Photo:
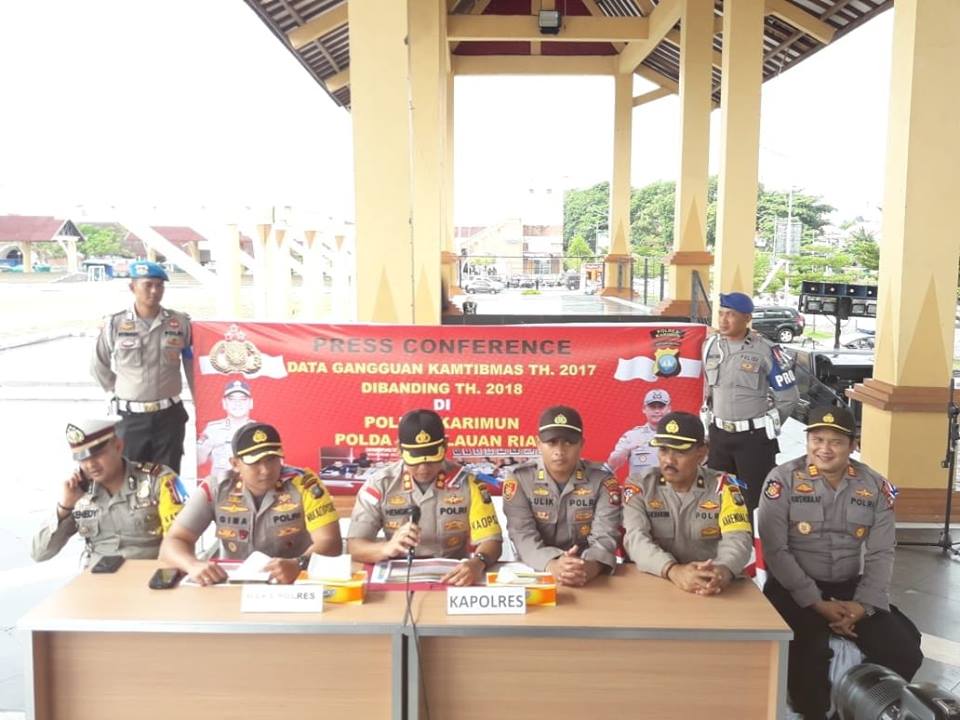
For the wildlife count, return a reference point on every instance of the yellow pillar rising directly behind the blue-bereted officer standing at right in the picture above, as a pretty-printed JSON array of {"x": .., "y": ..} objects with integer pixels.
[{"x": 739, "y": 148}]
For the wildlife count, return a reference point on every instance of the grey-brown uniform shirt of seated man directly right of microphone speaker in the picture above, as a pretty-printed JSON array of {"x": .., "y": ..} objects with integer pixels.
[{"x": 545, "y": 519}]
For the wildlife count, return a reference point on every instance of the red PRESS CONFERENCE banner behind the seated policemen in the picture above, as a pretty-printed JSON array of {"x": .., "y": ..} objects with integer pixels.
[{"x": 337, "y": 392}]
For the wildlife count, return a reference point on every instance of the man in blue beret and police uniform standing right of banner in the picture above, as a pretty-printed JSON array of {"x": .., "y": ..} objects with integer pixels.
[{"x": 749, "y": 391}]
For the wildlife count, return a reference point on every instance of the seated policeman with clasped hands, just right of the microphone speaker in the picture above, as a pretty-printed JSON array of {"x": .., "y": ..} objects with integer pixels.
[{"x": 563, "y": 513}]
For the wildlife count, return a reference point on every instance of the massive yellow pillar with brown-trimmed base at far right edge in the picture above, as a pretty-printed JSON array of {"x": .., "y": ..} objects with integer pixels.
[{"x": 904, "y": 419}]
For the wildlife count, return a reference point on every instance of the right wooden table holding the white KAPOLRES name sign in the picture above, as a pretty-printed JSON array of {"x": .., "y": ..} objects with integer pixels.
[{"x": 627, "y": 646}]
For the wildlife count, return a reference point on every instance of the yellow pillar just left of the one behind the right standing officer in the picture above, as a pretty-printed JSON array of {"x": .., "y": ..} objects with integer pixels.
[{"x": 690, "y": 221}]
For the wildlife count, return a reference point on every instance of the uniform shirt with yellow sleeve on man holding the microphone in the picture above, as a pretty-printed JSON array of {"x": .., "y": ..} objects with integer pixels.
[{"x": 455, "y": 510}]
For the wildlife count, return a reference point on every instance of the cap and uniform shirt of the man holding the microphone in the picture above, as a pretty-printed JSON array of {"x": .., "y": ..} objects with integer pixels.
[{"x": 456, "y": 511}]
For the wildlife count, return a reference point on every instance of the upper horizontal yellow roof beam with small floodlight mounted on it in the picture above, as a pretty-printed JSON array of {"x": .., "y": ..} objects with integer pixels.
[{"x": 504, "y": 28}]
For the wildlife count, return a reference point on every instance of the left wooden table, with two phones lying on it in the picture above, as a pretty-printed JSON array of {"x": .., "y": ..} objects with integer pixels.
[{"x": 106, "y": 646}]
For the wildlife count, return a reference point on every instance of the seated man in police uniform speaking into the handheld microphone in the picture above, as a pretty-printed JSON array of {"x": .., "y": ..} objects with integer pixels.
[{"x": 454, "y": 507}]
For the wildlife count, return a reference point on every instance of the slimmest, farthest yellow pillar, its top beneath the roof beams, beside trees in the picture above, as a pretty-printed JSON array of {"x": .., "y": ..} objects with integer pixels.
[{"x": 616, "y": 276}]
